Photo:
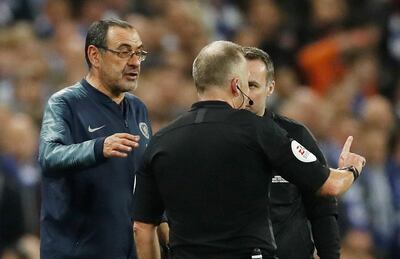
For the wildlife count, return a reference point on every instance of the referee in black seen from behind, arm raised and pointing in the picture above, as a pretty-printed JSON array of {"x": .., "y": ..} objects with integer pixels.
[{"x": 210, "y": 169}]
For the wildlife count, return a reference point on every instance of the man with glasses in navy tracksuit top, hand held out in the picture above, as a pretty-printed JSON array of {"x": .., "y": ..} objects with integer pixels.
[{"x": 92, "y": 138}]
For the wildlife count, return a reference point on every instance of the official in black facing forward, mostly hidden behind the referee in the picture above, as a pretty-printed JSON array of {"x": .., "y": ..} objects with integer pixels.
[{"x": 293, "y": 208}]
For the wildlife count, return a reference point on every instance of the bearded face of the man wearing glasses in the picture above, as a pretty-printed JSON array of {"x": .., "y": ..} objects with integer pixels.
[{"x": 117, "y": 73}]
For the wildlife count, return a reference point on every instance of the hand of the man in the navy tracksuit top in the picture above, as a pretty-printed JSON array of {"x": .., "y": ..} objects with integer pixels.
[{"x": 120, "y": 144}]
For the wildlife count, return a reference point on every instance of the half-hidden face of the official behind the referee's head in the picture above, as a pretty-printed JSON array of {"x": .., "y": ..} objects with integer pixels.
[{"x": 258, "y": 86}]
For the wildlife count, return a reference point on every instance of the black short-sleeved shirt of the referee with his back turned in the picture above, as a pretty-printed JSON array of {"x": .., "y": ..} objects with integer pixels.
[{"x": 210, "y": 171}]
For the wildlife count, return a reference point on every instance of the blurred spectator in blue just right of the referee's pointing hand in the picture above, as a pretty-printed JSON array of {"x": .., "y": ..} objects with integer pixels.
[{"x": 370, "y": 205}]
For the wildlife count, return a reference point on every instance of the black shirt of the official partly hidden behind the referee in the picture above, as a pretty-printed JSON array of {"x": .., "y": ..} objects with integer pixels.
[{"x": 292, "y": 208}]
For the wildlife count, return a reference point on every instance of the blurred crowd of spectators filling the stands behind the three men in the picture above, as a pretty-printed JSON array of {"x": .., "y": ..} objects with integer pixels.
[{"x": 337, "y": 71}]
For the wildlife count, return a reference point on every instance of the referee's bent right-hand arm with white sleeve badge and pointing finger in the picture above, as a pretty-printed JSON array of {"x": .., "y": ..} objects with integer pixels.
[{"x": 301, "y": 167}]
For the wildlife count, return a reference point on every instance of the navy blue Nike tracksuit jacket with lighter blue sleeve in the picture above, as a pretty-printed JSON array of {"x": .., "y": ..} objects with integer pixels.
[{"x": 86, "y": 198}]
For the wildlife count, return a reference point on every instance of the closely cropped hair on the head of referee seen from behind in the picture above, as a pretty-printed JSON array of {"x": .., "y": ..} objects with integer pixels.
[{"x": 217, "y": 64}]
